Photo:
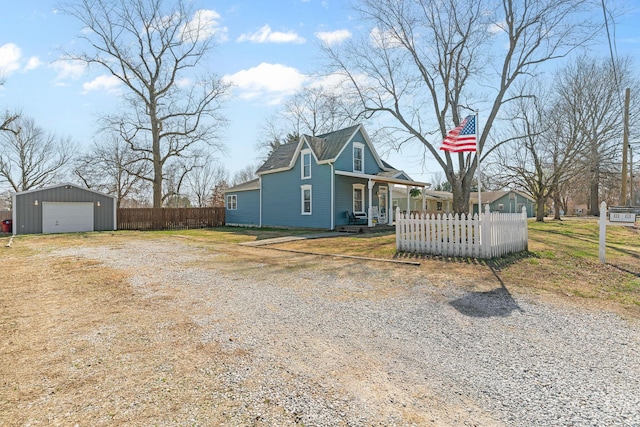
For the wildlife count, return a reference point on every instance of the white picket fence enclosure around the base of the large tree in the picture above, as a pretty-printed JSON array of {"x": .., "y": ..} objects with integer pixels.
[{"x": 489, "y": 235}]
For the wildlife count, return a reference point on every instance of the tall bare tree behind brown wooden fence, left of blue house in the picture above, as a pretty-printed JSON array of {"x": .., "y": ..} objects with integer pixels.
[{"x": 152, "y": 49}]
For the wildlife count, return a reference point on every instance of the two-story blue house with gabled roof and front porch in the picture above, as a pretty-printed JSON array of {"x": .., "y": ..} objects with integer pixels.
[{"x": 319, "y": 182}]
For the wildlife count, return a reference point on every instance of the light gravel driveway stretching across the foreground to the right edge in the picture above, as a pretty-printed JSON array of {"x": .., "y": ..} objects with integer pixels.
[{"x": 357, "y": 343}]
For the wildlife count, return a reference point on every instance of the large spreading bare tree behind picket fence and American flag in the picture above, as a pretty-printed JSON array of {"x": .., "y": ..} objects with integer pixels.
[{"x": 426, "y": 59}]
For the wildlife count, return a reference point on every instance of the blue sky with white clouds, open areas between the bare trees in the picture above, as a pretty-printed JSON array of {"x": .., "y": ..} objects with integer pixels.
[{"x": 268, "y": 49}]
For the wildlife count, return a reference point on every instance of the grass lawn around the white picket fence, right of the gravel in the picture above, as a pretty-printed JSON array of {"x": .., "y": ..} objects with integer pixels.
[{"x": 563, "y": 260}]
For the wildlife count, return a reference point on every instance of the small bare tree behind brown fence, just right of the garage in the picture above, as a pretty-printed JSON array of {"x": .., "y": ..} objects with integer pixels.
[{"x": 112, "y": 167}]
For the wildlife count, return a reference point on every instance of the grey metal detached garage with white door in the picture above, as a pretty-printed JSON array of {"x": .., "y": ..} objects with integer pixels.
[{"x": 64, "y": 208}]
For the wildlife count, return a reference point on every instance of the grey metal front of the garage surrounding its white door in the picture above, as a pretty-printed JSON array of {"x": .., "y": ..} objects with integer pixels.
[{"x": 28, "y": 216}]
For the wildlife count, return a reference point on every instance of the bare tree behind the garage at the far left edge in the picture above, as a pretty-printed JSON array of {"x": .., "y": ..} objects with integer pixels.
[{"x": 30, "y": 156}]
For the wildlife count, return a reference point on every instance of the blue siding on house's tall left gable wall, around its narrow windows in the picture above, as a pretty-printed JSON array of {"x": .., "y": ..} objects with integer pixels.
[{"x": 281, "y": 197}]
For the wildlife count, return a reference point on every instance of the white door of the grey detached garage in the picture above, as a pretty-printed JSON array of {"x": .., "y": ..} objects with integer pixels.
[{"x": 67, "y": 217}]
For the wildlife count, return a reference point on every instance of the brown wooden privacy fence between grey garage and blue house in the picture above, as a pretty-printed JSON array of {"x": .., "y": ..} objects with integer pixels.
[{"x": 169, "y": 218}]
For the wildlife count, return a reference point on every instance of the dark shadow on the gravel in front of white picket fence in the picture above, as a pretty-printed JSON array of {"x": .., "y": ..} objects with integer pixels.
[{"x": 494, "y": 303}]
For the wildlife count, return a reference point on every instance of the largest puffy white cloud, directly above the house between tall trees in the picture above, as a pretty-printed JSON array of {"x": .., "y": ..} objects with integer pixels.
[{"x": 272, "y": 81}]
